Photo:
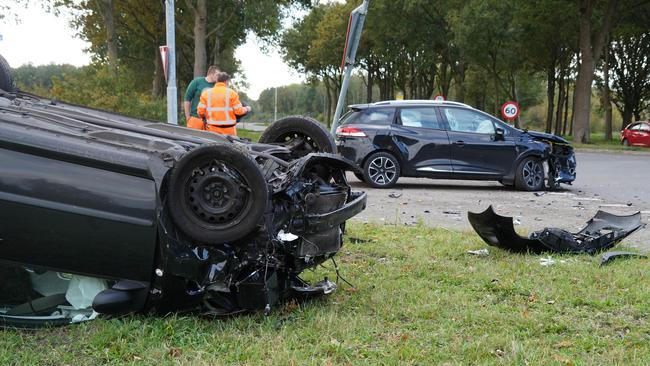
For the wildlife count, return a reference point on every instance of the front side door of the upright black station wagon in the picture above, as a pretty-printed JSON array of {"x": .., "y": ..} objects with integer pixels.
[{"x": 474, "y": 146}]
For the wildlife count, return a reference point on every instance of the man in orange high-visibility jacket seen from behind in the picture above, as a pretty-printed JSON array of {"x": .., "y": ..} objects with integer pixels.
[{"x": 220, "y": 106}]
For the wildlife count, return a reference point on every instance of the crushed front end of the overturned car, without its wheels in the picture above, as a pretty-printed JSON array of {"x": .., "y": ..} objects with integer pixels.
[{"x": 302, "y": 227}]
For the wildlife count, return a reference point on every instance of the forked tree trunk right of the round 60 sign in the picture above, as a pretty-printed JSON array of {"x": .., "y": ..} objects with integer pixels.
[{"x": 590, "y": 55}]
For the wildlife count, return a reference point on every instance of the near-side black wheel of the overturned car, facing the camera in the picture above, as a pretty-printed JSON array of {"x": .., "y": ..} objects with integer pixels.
[{"x": 217, "y": 194}]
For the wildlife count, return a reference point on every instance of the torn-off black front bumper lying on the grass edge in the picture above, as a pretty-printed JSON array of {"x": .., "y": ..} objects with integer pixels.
[{"x": 602, "y": 232}]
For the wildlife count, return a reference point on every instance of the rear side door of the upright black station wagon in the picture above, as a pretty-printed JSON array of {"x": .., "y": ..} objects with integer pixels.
[{"x": 420, "y": 135}]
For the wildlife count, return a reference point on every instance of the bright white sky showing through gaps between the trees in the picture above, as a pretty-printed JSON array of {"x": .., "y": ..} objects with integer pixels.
[{"x": 41, "y": 38}]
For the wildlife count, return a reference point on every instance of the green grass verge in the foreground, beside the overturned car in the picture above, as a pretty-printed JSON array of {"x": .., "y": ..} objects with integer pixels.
[{"x": 420, "y": 299}]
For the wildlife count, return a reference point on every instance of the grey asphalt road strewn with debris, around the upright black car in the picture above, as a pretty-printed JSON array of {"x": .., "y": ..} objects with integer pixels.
[{"x": 614, "y": 182}]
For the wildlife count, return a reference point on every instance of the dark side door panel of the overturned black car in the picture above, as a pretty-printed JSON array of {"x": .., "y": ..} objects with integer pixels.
[{"x": 74, "y": 217}]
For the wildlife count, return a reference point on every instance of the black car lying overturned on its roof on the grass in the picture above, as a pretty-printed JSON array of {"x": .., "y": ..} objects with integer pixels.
[{"x": 102, "y": 213}]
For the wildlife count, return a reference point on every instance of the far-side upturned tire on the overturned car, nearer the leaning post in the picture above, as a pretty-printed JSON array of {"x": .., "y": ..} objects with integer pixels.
[{"x": 303, "y": 135}]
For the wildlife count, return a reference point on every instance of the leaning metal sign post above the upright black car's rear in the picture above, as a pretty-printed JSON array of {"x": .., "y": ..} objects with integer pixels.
[{"x": 355, "y": 26}]
